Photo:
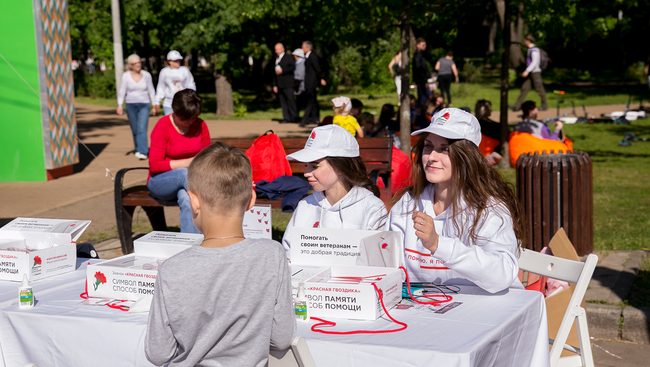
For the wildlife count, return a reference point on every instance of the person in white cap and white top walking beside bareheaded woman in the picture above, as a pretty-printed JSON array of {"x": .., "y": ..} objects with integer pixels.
[{"x": 172, "y": 79}]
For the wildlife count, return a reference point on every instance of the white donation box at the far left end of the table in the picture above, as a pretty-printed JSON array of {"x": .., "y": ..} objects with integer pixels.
[{"x": 39, "y": 247}]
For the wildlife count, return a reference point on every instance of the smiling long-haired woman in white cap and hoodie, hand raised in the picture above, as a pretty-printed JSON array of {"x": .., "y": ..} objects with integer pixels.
[{"x": 461, "y": 221}]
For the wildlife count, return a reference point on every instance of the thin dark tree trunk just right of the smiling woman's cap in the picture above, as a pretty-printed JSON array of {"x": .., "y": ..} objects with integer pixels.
[{"x": 503, "y": 120}]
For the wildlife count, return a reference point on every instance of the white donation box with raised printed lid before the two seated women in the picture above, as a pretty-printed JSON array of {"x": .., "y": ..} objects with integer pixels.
[{"x": 345, "y": 264}]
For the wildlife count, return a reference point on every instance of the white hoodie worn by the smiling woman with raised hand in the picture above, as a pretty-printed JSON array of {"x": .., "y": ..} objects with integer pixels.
[{"x": 490, "y": 263}]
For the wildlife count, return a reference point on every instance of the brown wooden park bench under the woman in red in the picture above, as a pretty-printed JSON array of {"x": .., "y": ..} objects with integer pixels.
[{"x": 376, "y": 154}]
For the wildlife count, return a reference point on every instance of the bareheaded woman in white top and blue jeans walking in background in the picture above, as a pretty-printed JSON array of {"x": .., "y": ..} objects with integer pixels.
[{"x": 137, "y": 87}]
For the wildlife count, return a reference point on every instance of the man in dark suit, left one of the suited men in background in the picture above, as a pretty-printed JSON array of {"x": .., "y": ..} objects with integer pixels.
[{"x": 283, "y": 83}]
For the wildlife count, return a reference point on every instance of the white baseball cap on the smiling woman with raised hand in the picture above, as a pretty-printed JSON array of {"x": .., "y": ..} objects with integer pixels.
[{"x": 454, "y": 123}]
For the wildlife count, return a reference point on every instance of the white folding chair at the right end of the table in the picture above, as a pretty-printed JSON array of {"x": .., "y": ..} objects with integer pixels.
[{"x": 572, "y": 272}]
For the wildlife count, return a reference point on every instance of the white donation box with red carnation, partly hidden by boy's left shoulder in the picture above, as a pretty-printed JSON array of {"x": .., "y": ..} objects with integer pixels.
[{"x": 133, "y": 276}]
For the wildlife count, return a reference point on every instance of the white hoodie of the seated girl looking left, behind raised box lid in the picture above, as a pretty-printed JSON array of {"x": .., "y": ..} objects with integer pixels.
[{"x": 358, "y": 209}]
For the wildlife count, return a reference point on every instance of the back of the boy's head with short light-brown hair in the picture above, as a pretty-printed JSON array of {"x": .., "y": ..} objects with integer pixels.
[{"x": 221, "y": 176}]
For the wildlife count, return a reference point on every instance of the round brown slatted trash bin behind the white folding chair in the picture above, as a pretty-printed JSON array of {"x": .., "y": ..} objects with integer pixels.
[{"x": 556, "y": 191}]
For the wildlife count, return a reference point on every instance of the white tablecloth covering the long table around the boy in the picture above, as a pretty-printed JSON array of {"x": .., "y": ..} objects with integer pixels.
[{"x": 508, "y": 329}]
